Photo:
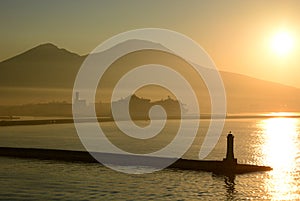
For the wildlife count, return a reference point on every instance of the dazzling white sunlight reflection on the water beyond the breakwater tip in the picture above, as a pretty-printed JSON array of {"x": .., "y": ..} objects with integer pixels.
[{"x": 280, "y": 149}]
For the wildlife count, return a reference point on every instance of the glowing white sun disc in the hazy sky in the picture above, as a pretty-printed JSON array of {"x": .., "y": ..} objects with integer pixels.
[{"x": 282, "y": 43}]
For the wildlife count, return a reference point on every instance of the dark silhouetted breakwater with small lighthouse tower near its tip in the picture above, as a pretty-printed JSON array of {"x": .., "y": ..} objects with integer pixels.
[{"x": 227, "y": 166}]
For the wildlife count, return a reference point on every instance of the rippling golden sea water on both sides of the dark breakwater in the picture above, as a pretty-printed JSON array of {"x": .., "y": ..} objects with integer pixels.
[{"x": 264, "y": 141}]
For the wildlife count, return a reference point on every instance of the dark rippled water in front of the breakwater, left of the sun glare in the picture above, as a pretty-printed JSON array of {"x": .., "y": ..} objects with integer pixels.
[{"x": 48, "y": 180}]
